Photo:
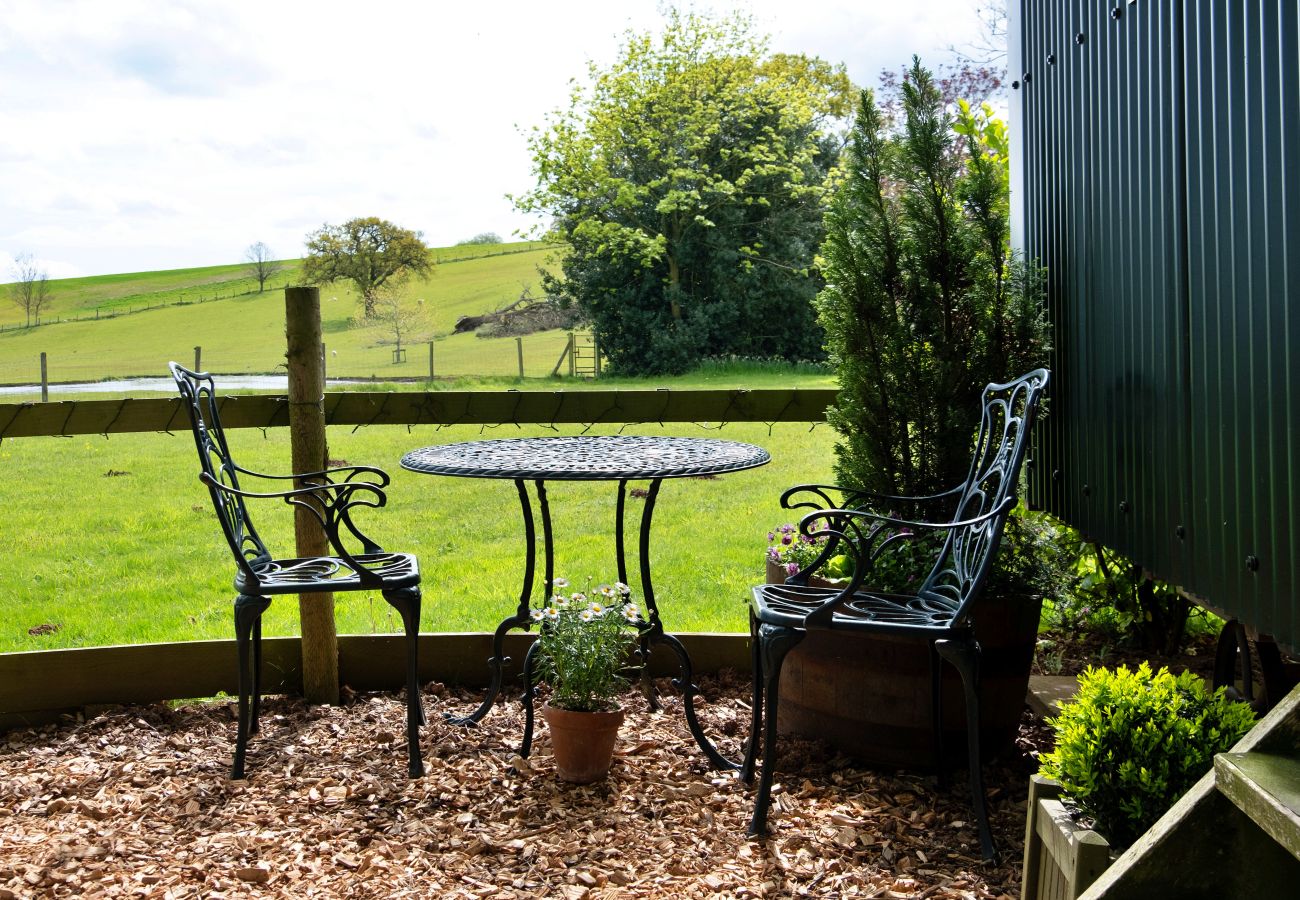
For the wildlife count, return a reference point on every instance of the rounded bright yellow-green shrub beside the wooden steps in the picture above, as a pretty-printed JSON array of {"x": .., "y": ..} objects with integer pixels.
[{"x": 1132, "y": 745}]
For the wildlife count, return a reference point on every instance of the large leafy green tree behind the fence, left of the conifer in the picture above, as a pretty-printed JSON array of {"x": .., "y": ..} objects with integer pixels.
[{"x": 688, "y": 181}]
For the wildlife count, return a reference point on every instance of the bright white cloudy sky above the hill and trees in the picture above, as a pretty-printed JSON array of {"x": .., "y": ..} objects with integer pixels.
[{"x": 145, "y": 135}]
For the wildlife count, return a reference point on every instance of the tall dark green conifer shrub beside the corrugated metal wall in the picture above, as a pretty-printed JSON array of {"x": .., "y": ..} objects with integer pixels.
[{"x": 925, "y": 302}]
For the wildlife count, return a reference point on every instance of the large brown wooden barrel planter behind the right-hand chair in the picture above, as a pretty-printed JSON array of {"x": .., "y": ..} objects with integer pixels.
[{"x": 869, "y": 695}]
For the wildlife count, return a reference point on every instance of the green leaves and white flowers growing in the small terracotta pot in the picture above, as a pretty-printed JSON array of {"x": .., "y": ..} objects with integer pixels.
[{"x": 584, "y": 639}]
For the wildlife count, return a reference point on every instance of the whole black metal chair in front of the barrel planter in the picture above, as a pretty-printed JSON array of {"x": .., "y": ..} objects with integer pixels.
[{"x": 944, "y": 609}]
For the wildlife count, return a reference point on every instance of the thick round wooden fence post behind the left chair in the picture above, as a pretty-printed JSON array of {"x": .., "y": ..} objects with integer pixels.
[{"x": 310, "y": 455}]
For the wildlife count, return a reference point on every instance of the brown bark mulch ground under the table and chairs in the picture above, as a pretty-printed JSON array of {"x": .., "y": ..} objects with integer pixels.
[{"x": 137, "y": 802}]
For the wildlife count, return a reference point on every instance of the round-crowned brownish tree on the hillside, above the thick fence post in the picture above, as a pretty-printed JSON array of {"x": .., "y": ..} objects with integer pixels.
[{"x": 371, "y": 253}]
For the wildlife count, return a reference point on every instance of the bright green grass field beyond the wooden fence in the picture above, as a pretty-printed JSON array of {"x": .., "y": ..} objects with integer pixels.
[{"x": 114, "y": 540}]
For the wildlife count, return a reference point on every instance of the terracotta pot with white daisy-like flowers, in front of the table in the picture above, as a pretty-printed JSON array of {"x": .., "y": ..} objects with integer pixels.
[{"x": 583, "y": 650}]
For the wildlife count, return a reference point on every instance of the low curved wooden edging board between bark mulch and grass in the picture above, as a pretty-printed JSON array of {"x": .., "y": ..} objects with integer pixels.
[{"x": 41, "y": 686}]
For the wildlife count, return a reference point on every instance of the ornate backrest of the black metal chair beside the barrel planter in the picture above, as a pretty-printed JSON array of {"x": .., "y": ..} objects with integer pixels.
[{"x": 968, "y": 553}]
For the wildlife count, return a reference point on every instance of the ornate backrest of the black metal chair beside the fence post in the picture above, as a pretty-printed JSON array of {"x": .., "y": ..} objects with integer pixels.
[{"x": 198, "y": 396}]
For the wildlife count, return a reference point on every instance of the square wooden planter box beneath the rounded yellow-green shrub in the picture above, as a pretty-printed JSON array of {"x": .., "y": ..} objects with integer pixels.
[{"x": 1061, "y": 860}]
